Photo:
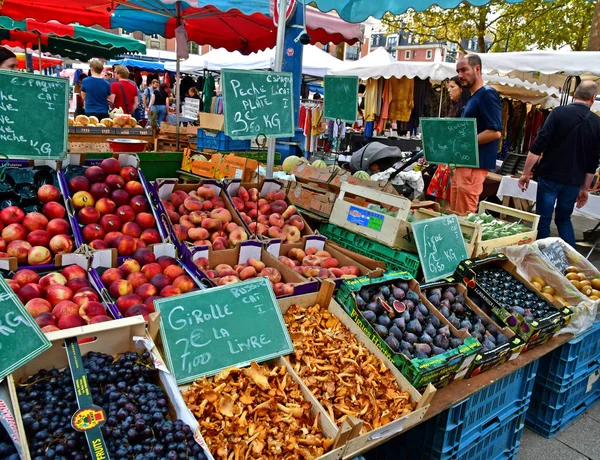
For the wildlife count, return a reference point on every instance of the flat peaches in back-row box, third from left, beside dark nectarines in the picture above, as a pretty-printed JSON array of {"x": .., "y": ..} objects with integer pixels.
[{"x": 201, "y": 218}]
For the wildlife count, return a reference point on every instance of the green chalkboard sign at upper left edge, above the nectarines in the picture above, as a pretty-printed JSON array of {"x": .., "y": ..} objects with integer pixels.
[{"x": 33, "y": 116}]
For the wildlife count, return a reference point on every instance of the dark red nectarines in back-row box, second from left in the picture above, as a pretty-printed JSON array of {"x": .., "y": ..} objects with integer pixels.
[{"x": 112, "y": 208}]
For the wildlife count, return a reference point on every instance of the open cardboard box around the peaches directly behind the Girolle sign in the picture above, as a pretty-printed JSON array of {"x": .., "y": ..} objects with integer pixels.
[{"x": 240, "y": 255}]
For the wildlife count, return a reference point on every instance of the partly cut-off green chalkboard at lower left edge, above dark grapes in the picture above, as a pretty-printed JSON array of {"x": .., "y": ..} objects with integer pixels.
[{"x": 21, "y": 339}]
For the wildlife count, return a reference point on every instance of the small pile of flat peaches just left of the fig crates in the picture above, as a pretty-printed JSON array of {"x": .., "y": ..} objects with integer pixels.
[{"x": 317, "y": 264}]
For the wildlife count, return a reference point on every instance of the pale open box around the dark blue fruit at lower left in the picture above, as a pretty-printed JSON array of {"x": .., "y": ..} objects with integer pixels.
[{"x": 127, "y": 335}]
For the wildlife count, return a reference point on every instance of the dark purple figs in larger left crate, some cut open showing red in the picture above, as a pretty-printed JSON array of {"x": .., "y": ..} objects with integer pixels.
[{"x": 398, "y": 316}]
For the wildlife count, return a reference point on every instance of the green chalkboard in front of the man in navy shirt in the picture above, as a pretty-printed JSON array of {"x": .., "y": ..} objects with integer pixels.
[{"x": 450, "y": 141}]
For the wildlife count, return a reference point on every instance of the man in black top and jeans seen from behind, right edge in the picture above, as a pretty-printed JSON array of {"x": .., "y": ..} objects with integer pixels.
[{"x": 568, "y": 151}]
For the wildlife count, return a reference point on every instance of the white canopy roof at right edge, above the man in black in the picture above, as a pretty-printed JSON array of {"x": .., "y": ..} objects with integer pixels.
[{"x": 546, "y": 67}]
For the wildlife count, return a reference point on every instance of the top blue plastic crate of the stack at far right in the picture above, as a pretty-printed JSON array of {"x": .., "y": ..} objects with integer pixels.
[{"x": 576, "y": 358}]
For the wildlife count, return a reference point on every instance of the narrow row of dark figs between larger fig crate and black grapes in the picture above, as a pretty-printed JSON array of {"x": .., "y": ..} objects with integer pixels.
[{"x": 464, "y": 318}]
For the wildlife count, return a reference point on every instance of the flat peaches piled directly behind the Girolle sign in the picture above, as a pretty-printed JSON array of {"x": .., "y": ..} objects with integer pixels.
[{"x": 224, "y": 274}]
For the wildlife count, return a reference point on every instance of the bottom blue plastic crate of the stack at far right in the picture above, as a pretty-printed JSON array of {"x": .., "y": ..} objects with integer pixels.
[{"x": 550, "y": 411}]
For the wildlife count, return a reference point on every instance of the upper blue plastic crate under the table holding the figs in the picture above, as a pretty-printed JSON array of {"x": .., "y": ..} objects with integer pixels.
[{"x": 466, "y": 422}]
